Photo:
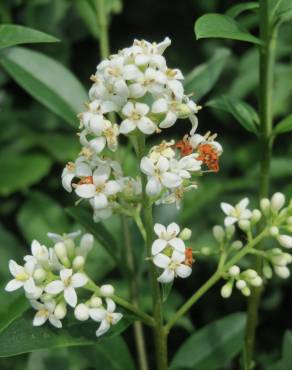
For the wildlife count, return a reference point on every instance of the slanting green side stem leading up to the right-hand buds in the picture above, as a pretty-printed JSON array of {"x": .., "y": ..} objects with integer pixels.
[{"x": 213, "y": 280}]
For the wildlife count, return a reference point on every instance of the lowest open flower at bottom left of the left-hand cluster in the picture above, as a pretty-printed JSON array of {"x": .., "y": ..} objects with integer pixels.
[{"x": 45, "y": 312}]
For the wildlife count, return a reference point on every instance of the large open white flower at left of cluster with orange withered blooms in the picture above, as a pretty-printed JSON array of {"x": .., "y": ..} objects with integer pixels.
[{"x": 159, "y": 175}]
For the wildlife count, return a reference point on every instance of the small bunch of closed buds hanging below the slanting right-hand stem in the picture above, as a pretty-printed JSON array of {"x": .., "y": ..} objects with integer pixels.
[{"x": 242, "y": 280}]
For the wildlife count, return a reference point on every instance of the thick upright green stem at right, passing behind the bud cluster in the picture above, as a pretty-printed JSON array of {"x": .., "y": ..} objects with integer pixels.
[{"x": 267, "y": 60}]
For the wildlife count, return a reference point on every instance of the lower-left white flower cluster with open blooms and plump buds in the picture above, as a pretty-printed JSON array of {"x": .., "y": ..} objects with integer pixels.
[{"x": 51, "y": 276}]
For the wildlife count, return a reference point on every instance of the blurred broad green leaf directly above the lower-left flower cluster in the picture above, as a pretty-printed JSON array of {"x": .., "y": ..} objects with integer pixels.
[{"x": 39, "y": 215}]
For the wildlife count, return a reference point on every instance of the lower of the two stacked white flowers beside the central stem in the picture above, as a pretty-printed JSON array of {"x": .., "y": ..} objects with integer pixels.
[{"x": 173, "y": 266}]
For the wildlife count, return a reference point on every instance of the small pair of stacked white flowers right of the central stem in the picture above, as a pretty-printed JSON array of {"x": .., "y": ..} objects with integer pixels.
[{"x": 170, "y": 254}]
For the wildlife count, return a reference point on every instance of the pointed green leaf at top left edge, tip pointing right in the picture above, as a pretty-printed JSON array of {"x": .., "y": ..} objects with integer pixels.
[{"x": 12, "y": 34}]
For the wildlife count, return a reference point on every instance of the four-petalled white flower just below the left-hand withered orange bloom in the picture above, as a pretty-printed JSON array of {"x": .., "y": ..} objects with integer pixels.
[{"x": 100, "y": 188}]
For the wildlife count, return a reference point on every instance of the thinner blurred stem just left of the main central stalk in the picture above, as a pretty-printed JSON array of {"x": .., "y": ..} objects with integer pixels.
[{"x": 138, "y": 329}]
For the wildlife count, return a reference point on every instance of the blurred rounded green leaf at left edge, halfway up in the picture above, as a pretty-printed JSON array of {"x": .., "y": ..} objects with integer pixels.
[{"x": 22, "y": 172}]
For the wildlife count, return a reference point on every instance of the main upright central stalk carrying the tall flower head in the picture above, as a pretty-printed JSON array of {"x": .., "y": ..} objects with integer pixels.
[{"x": 159, "y": 332}]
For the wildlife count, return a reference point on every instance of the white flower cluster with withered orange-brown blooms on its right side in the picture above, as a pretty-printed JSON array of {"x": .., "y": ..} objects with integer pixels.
[{"x": 169, "y": 167}]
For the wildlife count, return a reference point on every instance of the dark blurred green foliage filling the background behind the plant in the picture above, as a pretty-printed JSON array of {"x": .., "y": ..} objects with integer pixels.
[{"x": 36, "y": 143}]
